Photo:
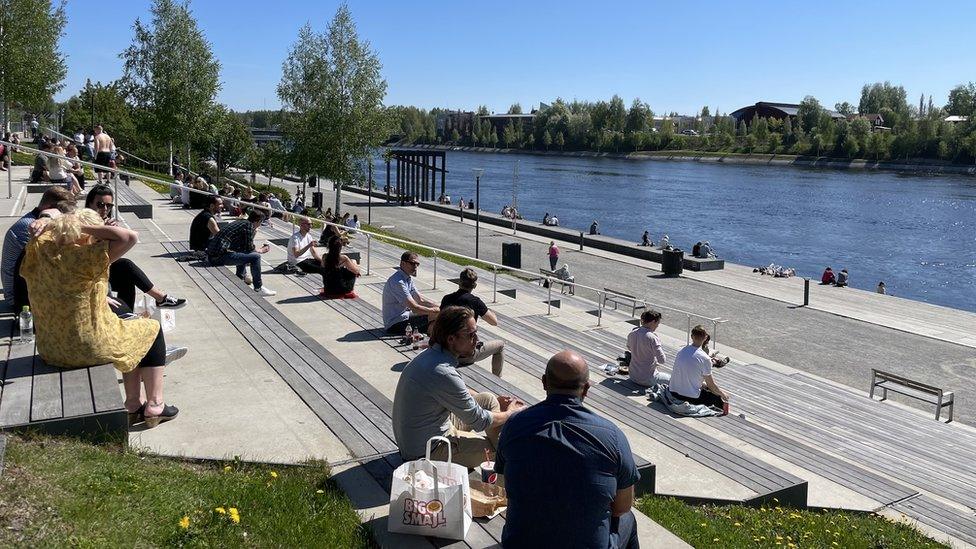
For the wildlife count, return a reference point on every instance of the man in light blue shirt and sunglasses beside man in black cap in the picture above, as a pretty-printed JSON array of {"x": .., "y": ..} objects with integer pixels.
[{"x": 402, "y": 303}]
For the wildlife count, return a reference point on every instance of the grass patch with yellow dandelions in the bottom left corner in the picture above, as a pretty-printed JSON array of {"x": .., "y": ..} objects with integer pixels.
[{"x": 62, "y": 492}]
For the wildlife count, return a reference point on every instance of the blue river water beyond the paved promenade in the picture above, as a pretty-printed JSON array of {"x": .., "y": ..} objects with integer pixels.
[{"x": 916, "y": 233}]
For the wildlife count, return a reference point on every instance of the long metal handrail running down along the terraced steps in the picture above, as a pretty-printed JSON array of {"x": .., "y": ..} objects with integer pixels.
[{"x": 602, "y": 293}]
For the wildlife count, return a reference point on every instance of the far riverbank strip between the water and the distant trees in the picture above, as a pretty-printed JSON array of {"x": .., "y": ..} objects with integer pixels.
[{"x": 926, "y": 167}]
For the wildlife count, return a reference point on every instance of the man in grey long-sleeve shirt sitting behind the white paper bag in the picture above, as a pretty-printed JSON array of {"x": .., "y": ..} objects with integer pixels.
[{"x": 432, "y": 400}]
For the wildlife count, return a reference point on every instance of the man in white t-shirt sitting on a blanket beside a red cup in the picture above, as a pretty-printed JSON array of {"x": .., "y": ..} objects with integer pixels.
[{"x": 691, "y": 380}]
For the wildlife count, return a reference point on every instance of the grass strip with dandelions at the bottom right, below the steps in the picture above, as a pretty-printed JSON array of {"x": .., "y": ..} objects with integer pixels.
[{"x": 779, "y": 527}]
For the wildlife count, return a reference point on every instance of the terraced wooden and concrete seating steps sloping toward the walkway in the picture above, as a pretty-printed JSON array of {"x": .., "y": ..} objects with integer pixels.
[{"x": 779, "y": 446}]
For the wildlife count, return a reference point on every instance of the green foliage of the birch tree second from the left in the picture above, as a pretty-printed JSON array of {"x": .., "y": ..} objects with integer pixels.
[{"x": 170, "y": 74}]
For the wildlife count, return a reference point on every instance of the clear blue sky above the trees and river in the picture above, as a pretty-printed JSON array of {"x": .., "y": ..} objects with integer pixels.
[{"x": 677, "y": 56}]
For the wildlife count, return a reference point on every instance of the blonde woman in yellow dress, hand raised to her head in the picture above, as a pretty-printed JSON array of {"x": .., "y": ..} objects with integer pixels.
[{"x": 66, "y": 269}]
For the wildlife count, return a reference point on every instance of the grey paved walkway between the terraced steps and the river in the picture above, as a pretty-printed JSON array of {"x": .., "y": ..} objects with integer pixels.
[{"x": 840, "y": 348}]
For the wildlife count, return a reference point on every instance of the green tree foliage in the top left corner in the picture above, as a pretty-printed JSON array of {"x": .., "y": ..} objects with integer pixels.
[{"x": 32, "y": 66}]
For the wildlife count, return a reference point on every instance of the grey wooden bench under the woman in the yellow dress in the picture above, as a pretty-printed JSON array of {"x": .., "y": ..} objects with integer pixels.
[{"x": 36, "y": 397}]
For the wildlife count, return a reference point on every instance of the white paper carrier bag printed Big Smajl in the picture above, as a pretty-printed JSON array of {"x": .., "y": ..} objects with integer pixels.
[{"x": 431, "y": 498}]
